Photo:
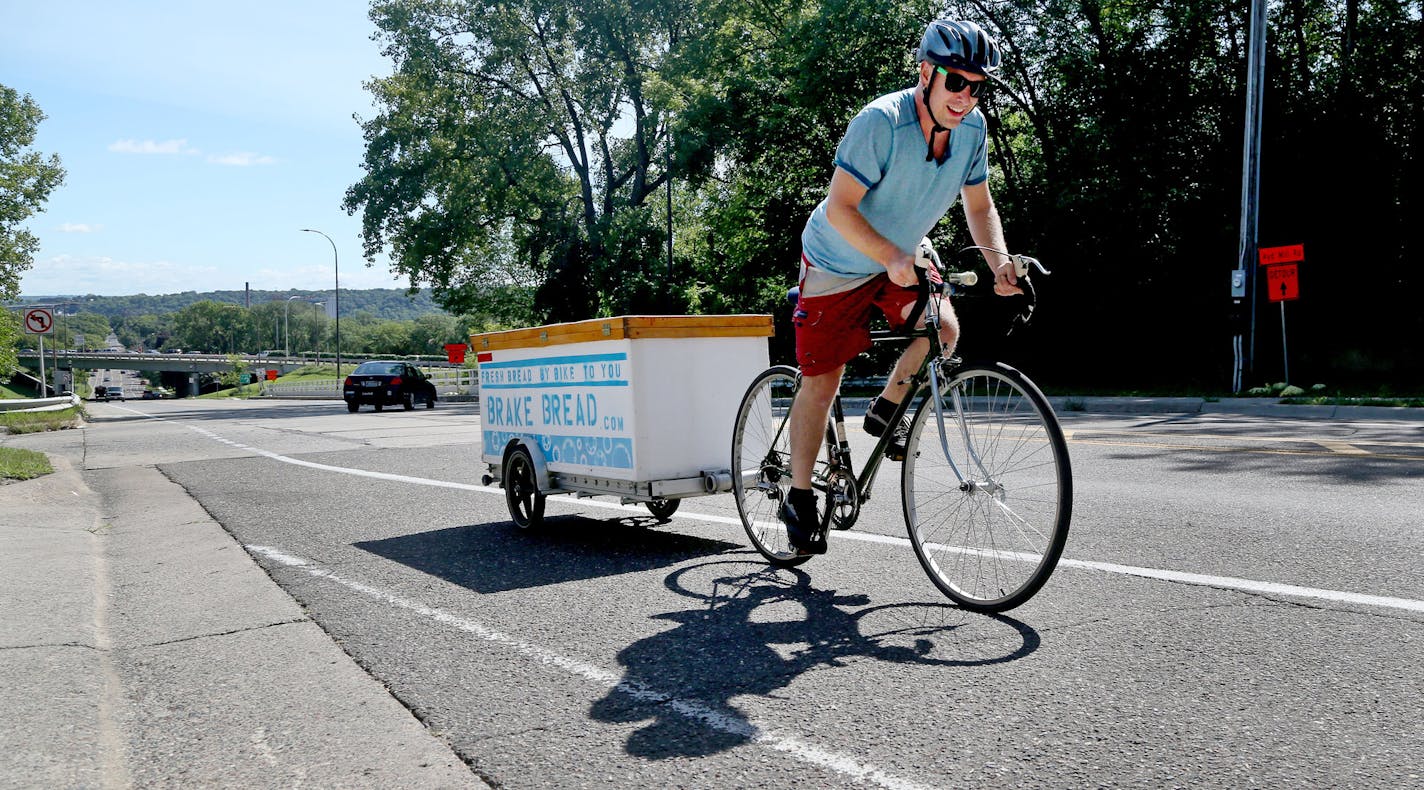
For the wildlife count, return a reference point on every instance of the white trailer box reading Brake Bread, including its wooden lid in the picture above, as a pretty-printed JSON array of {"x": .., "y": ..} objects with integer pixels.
[{"x": 637, "y": 399}]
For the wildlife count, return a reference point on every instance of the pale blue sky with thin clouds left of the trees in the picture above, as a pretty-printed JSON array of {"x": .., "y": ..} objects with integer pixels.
[{"x": 199, "y": 139}]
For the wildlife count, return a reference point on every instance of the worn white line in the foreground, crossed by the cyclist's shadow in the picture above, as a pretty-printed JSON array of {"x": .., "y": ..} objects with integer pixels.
[{"x": 690, "y": 710}]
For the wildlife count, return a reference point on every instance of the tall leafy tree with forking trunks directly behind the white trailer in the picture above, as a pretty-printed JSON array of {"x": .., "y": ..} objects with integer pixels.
[{"x": 516, "y": 146}]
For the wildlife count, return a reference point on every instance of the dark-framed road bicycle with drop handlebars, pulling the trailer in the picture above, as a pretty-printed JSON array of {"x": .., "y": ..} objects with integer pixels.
[{"x": 990, "y": 529}]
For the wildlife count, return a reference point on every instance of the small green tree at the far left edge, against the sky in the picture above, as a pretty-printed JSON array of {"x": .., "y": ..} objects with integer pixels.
[{"x": 26, "y": 181}]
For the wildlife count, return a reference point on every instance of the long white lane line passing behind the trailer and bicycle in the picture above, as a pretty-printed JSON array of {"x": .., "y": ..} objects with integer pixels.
[{"x": 1183, "y": 577}]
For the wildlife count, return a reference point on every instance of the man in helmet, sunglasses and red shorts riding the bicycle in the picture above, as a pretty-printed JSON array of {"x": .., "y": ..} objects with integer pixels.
[{"x": 858, "y": 248}]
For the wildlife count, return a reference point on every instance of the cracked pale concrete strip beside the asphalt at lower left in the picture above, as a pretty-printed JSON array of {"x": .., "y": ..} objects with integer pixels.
[{"x": 142, "y": 646}]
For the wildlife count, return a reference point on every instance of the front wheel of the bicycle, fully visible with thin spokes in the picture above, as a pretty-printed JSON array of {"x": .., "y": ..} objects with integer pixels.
[{"x": 989, "y": 490}]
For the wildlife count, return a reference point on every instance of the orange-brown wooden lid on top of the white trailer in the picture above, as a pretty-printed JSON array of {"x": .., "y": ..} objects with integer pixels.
[{"x": 626, "y": 328}]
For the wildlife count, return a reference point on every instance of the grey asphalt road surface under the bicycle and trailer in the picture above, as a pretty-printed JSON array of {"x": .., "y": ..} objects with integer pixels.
[{"x": 1241, "y": 604}]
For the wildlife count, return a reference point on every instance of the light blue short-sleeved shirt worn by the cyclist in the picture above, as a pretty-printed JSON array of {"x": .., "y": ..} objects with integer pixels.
[{"x": 885, "y": 152}]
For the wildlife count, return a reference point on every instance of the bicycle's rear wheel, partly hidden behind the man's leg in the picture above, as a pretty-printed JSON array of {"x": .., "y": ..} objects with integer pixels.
[{"x": 763, "y": 465}]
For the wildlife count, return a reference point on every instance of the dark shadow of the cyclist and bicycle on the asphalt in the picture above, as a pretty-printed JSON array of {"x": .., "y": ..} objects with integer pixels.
[{"x": 755, "y": 630}]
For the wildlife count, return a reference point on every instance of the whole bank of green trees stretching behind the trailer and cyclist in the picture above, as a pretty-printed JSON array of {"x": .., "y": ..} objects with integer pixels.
[{"x": 496, "y": 173}]
